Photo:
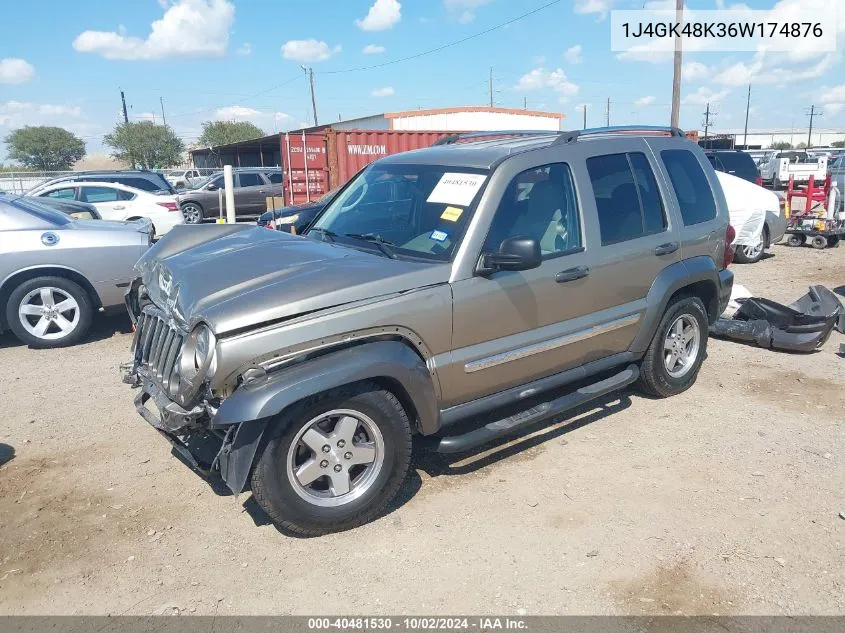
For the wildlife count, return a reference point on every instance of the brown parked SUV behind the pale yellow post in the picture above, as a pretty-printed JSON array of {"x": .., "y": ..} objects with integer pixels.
[{"x": 253, "y": 185}]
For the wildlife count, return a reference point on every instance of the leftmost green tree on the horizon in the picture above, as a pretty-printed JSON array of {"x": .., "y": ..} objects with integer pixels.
[{"x": 45, "y": 148}]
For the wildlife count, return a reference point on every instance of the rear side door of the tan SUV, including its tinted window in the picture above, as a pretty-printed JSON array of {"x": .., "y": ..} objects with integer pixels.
[{"x": 637, "y": 236}]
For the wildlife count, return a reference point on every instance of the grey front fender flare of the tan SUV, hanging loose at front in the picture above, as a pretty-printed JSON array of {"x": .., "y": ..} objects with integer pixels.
[{"x": 250, "y": 408}]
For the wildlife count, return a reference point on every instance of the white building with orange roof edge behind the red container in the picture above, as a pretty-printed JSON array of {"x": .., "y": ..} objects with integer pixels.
[{"x": 476, "y": 118}]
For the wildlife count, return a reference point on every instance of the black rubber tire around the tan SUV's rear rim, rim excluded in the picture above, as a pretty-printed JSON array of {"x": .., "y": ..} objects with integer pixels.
[{"x": 655, "y": 379}]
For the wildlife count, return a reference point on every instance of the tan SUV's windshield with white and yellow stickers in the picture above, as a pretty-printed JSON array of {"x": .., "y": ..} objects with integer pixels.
[{"x": 413, "y": 211}]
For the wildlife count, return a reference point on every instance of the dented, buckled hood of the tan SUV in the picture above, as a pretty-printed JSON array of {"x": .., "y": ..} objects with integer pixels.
[{"x": 237, "y": 276}]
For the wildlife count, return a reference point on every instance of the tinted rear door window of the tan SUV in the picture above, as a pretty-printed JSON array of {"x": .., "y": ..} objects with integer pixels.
[{"x": 627, "y": 198}]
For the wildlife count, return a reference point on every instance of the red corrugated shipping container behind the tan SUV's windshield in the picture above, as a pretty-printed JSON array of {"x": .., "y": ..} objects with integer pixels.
[{"x": 332, "y": 157}]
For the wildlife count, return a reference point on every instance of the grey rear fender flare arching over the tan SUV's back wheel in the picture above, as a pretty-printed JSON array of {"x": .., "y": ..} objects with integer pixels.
[{"x": 674, "y": 277}]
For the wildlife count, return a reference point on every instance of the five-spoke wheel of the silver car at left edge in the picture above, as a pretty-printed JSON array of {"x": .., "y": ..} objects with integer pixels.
[{"x": 49, "y": 312}]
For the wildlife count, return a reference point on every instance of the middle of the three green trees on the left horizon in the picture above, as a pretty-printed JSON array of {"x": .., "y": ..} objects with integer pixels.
[{"x": 145, "y": 145}]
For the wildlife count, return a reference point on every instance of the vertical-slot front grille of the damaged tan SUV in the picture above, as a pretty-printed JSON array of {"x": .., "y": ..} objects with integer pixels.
[{"x": 157, "y": 344}]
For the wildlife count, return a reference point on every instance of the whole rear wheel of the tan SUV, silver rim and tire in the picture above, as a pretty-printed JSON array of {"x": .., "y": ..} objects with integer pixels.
[{"x": 671, "y": 363}]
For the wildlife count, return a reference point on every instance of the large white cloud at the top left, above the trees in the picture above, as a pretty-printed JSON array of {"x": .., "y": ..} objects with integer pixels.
[{"x": 187, "y": 28}]
